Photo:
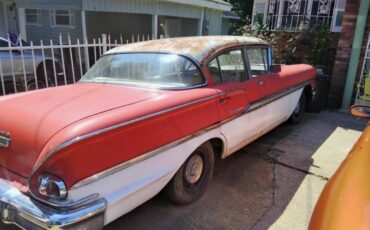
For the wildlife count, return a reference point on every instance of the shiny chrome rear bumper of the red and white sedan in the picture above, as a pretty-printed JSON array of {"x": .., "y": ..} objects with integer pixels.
[{"x": 27, "y": 213}]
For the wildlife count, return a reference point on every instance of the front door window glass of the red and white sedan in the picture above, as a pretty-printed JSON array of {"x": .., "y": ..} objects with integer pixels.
[{"x": 257, "y": 58}]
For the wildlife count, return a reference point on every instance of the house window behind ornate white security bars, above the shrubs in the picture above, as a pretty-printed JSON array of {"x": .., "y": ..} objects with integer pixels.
[{"x": 295, "y": 15}]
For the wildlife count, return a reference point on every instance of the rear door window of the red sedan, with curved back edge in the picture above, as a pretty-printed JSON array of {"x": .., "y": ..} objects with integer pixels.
[{"x": 230, "y": 65}]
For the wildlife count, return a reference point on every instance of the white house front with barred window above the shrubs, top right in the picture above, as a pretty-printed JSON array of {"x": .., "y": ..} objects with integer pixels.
[{"x": 293, "y": 15}]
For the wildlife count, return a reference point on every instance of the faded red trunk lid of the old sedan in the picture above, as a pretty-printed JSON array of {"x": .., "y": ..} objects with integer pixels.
[{"x": 35, "y": 117}]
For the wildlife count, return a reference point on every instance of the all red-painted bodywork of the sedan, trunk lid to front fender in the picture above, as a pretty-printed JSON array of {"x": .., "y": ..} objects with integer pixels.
[{"x": 44, "y": 120}]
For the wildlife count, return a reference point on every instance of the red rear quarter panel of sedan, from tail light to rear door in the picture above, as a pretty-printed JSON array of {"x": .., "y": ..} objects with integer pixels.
[{"x": 132, "y": 140}]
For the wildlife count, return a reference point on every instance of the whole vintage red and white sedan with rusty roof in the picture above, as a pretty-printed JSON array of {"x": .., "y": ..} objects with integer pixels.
[{"x": 147, "y": 116}]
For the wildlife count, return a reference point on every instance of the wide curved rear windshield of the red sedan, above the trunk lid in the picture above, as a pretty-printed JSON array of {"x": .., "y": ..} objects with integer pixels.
[{"x": 151, "y": 70}]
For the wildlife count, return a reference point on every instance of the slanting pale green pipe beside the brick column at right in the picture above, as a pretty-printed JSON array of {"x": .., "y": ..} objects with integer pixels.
[{"x": 355, "y": 54}]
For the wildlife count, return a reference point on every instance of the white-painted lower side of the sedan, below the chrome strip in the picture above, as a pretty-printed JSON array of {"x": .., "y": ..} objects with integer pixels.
[{"x": 134, "y": 185}]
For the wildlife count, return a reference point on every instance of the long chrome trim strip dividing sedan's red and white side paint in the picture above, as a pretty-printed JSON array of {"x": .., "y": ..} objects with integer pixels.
[{"x": 147, "y": 155}]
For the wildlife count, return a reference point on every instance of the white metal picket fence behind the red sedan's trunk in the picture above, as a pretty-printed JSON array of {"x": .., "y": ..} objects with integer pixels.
[{"x": 27, "y": 67}]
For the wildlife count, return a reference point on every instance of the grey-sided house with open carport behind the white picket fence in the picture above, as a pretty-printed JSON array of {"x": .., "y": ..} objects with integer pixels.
[{"x": 37, "y": 20}]
